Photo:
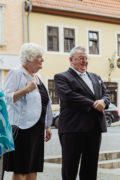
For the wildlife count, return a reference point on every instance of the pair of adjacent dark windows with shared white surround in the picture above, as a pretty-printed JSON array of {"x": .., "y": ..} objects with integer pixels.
[{"x": 60, "y": 38}]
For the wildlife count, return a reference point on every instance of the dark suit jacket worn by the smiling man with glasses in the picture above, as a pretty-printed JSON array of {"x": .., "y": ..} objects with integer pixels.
[{"x": 76, "y": 102}]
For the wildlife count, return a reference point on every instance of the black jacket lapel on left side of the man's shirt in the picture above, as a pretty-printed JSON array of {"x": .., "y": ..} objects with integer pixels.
[{"x": 82, "y": 83}]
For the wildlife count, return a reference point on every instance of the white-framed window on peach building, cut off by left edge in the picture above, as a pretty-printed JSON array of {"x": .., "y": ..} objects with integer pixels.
[{"x": 1, "y": 25}]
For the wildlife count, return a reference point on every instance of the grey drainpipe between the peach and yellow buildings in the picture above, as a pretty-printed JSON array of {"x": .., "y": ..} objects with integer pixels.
[{"x": 29, "y": 7}]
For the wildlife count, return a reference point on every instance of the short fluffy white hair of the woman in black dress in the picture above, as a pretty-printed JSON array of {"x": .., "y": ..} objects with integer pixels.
[{"x": 29, "y": 51}]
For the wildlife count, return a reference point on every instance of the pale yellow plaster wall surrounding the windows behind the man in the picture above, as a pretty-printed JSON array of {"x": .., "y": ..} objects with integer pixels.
[{"x": 59, "y": 62}]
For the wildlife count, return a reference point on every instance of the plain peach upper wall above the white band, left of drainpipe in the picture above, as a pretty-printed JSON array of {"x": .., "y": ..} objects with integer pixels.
[{"x": 13, "y": 26}]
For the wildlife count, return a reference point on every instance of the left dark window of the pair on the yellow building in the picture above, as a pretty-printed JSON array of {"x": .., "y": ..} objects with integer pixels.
[{"x": 52, "y": 39}]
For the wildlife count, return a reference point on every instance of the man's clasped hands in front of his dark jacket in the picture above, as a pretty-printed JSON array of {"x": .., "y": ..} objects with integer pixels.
[{"x": 99, "y": 105}]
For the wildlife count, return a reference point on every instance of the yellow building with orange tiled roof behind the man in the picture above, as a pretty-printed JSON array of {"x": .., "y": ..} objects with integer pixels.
[{"x": 60, "y": 25}]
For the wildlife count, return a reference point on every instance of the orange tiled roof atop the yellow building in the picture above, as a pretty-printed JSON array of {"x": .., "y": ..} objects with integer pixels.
[{"x": 100, "y": 7}]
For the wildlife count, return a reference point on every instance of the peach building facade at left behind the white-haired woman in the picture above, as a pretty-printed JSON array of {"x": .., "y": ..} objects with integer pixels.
[{"x": 11, "y": 35}]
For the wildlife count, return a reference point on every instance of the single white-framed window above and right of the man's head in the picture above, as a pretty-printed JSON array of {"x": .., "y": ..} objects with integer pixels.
[{"x": 93, "y": 42}]
